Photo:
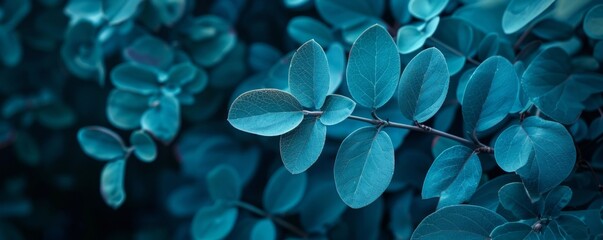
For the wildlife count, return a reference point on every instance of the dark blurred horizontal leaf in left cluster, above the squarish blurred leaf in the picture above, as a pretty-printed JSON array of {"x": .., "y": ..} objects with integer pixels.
[{"x": 135, "y": 78}]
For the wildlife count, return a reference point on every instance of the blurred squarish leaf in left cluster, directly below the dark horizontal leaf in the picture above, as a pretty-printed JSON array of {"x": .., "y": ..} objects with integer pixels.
[{"x": 125, "y": 109}]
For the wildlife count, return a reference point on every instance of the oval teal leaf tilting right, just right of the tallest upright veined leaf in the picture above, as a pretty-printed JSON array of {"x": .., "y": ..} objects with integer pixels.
[{"x": 423, "y": 85}]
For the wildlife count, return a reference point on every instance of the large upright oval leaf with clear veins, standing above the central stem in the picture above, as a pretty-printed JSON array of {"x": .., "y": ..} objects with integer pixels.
[{"x": 374, "y": 68}]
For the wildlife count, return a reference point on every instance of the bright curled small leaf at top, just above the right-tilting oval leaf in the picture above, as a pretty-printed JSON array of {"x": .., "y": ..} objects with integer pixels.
[{"x": 411, "y": 37}]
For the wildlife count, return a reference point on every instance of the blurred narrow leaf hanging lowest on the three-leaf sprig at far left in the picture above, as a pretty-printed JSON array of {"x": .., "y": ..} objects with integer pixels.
[{"x": 112, "y": 183}]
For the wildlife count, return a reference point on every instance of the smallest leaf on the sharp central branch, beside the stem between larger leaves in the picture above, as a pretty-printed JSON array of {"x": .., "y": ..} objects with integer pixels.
[{"x": 336, "y": 109}]
